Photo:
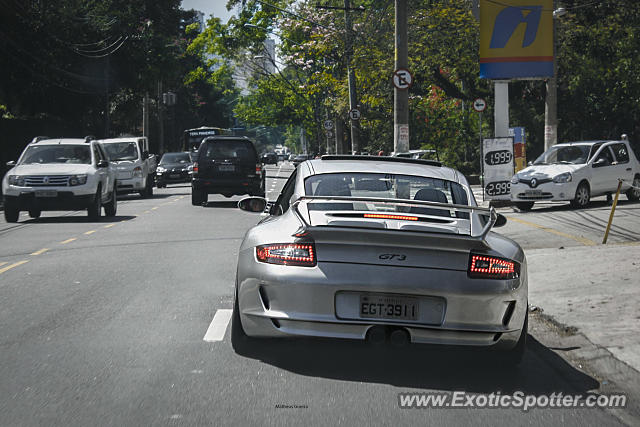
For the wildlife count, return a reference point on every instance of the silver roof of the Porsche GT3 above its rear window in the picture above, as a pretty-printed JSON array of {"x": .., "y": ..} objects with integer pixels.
[{"x": 383, "y": 165}]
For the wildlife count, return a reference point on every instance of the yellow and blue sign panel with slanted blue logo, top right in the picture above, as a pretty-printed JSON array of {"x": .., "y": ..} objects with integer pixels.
[{"x": 516, "y": 39}]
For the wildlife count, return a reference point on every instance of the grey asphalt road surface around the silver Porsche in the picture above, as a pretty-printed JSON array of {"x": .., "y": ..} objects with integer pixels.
[{"x": 104, "y": 323}]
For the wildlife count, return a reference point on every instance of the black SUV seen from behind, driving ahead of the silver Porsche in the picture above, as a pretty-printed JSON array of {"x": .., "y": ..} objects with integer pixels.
[{"x": 227, "y": 165}]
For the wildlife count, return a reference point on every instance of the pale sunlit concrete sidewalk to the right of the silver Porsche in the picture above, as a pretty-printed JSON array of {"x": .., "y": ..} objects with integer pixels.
[{"x": 594, "y": 289}]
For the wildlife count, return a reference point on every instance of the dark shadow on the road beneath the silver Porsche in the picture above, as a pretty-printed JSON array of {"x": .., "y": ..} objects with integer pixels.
[{"x": 425, "y": 367}]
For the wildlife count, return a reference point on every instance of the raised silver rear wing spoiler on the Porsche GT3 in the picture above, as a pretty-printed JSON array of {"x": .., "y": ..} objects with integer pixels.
[{"x": 476, "y": 231}]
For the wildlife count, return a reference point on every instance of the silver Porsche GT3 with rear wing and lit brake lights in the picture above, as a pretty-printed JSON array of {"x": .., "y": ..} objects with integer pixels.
[{"x": 382, "y": 249}]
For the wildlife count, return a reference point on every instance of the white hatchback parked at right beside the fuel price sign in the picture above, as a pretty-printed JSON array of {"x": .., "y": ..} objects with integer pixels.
[{"x": 576, "y": 172}]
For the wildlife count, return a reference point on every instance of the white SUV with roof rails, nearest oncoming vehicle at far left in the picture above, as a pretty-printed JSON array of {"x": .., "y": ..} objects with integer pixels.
[{"x": 60, "y": 174}]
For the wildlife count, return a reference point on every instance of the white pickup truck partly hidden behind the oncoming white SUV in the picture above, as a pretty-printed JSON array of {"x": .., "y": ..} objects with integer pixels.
[{"x": 135, "y": 167}]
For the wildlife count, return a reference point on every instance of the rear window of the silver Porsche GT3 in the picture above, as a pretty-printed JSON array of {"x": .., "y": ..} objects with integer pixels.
[{"x": 386, "y": 186}]
